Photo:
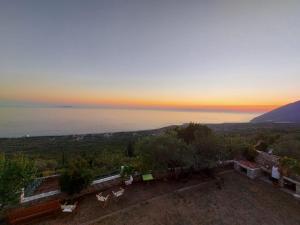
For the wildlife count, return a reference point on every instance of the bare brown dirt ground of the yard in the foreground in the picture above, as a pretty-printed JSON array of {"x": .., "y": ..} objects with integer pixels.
[{"x": 241, "y": 201}]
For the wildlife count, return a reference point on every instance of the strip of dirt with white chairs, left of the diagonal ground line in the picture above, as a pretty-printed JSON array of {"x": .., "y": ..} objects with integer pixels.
[{"x": 90, "y": 209}]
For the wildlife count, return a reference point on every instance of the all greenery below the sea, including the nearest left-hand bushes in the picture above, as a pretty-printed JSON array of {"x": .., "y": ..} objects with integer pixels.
[{"x": 81, "y": 159}]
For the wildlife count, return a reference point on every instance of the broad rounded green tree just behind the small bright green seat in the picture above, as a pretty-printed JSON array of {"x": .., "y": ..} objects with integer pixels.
[{"x": 163, "y": 152}]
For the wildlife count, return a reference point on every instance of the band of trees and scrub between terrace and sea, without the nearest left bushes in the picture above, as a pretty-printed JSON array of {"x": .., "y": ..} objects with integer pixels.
[{"x": 190, "y": 145}]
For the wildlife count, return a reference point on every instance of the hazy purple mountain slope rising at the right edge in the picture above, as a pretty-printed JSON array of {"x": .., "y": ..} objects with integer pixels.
[{"x": 289, "y": 113}]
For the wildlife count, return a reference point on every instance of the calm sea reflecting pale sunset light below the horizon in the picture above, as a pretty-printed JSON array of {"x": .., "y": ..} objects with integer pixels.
[{"x": 51, "y": 121}]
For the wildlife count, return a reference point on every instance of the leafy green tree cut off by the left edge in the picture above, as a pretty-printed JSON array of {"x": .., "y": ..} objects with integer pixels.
[{"x": 15, "y": 173}]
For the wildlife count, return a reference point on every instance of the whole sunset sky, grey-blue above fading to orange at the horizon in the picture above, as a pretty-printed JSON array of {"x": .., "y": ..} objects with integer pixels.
[{"x": 215, "y": 55}]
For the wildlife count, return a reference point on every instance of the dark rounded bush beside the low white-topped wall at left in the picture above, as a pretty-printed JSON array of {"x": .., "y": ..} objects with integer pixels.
[{"x": 75, "y": 176}]
